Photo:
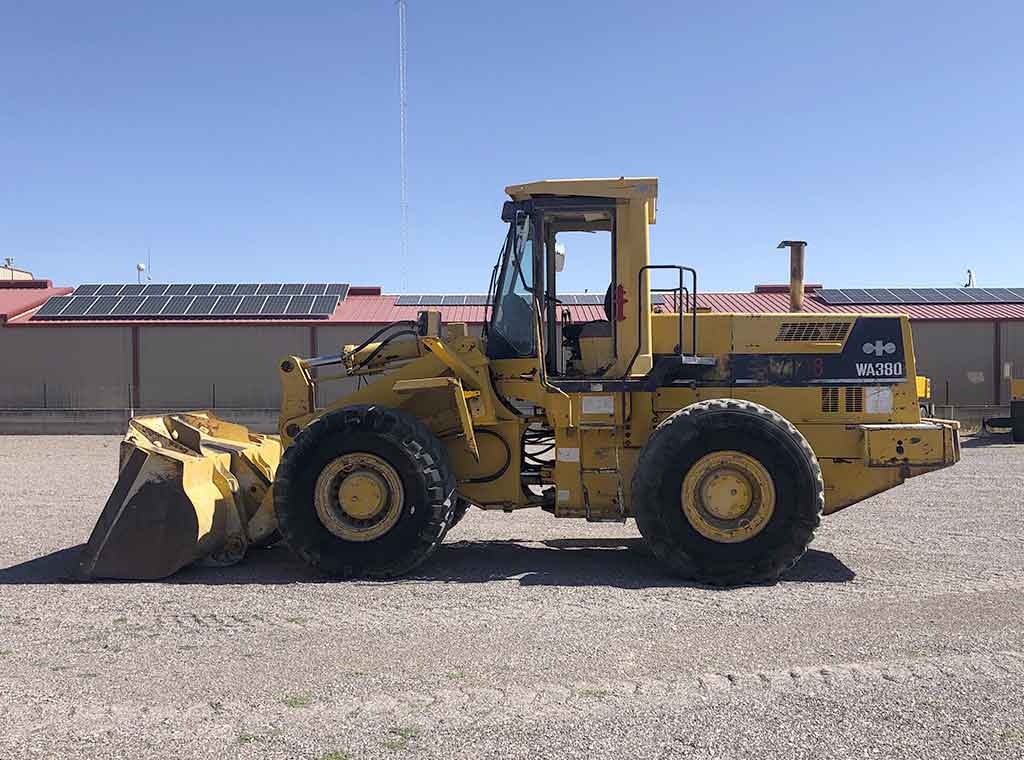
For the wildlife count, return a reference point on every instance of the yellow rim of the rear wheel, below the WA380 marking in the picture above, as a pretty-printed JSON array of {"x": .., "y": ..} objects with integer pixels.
[{"x": 729, "y": 497}]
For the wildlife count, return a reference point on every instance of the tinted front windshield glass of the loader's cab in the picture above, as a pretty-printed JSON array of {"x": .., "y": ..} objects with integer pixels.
[{"x": 511, "y": 331}]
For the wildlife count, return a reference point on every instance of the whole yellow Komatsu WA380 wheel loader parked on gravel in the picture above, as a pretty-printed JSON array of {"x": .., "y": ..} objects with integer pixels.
[{"x": 726, "y": 436}]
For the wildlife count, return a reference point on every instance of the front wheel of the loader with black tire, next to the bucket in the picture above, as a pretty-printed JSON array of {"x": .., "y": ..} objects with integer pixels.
[{"x": 415, "y": 475}]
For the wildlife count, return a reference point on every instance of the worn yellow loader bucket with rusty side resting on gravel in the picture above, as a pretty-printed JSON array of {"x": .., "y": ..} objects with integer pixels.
[{"x": 191, "y": 488}]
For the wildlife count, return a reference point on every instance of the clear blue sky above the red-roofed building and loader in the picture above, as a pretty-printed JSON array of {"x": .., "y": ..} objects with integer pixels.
[{"x": 260, "y": 142}]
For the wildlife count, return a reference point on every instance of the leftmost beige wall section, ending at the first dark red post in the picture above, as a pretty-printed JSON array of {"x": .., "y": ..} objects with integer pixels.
[{"x": 65, "y": 367}]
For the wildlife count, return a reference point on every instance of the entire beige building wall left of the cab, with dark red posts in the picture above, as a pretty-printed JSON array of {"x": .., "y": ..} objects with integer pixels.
[{"x": 181, "y": 367}]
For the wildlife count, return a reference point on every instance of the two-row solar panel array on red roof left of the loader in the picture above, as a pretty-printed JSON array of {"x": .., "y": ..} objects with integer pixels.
[{"x": 197, "y": 302}]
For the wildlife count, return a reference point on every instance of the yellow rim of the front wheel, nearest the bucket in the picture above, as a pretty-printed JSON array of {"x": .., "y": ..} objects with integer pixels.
[{"x": 359, "y": 497}]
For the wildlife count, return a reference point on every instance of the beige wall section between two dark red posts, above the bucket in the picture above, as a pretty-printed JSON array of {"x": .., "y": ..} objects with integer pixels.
[{"x": 225, "y": 366}]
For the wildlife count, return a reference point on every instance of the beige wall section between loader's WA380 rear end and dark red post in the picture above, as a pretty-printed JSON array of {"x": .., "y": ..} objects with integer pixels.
[{"x": 961, "y": 355}]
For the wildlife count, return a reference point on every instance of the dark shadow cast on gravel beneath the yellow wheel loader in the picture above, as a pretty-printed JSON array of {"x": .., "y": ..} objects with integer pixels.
[{"x": 618, "y": 563}]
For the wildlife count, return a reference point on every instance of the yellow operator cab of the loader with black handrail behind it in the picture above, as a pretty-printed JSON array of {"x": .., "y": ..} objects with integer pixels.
[{"x": 609, "y": 333}]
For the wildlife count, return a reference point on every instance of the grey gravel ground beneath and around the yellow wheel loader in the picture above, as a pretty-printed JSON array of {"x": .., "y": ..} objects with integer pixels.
[{"x": 901, "y": 635}]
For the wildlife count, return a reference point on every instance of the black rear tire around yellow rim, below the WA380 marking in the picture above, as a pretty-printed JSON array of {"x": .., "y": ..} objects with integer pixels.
[{"x": 753, "y": 434}]
